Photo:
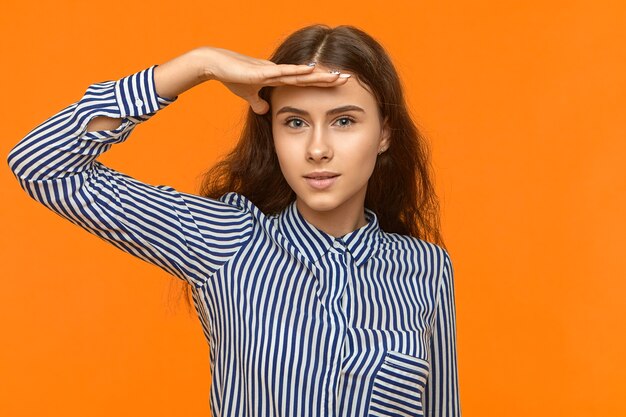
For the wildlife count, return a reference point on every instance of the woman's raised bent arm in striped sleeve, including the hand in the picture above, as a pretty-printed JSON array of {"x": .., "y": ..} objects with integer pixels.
[{"x": 186, "y": 235}]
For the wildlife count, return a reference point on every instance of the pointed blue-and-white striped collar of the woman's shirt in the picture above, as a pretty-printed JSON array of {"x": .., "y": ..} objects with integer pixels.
[{"x": 314, "y": 243}]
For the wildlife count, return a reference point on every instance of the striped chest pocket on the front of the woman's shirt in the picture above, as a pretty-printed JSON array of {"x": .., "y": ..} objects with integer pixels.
[{"x": 399, "y": 386}]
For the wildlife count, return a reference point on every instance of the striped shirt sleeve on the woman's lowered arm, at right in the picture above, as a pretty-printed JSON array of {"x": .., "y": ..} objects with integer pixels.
[{"x": 442, "y": 390}]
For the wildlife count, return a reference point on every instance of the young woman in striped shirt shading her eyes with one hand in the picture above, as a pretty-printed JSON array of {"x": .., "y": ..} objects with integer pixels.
[{"x": 307, "y": 253}]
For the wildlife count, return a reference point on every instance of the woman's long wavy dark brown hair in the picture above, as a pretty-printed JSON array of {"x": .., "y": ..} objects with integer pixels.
[{"x": 400, "y": 190}]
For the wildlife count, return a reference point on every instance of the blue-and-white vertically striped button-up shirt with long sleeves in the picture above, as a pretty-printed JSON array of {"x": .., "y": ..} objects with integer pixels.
[{"x": 299, "y": 322}]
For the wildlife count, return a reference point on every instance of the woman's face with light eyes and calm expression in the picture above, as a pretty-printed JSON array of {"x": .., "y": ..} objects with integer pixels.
[{"x": 334, "y": 130}]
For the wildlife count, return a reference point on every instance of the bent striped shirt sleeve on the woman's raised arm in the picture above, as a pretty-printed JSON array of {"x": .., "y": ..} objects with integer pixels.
[{"x": 186, "y": 235}]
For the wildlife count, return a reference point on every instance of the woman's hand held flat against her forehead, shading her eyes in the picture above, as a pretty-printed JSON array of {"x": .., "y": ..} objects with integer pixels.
[{"x": 245, "y": 76}]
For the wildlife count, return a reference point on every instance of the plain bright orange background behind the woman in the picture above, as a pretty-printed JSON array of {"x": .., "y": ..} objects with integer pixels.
[{"x": 524, "y": 104}]
